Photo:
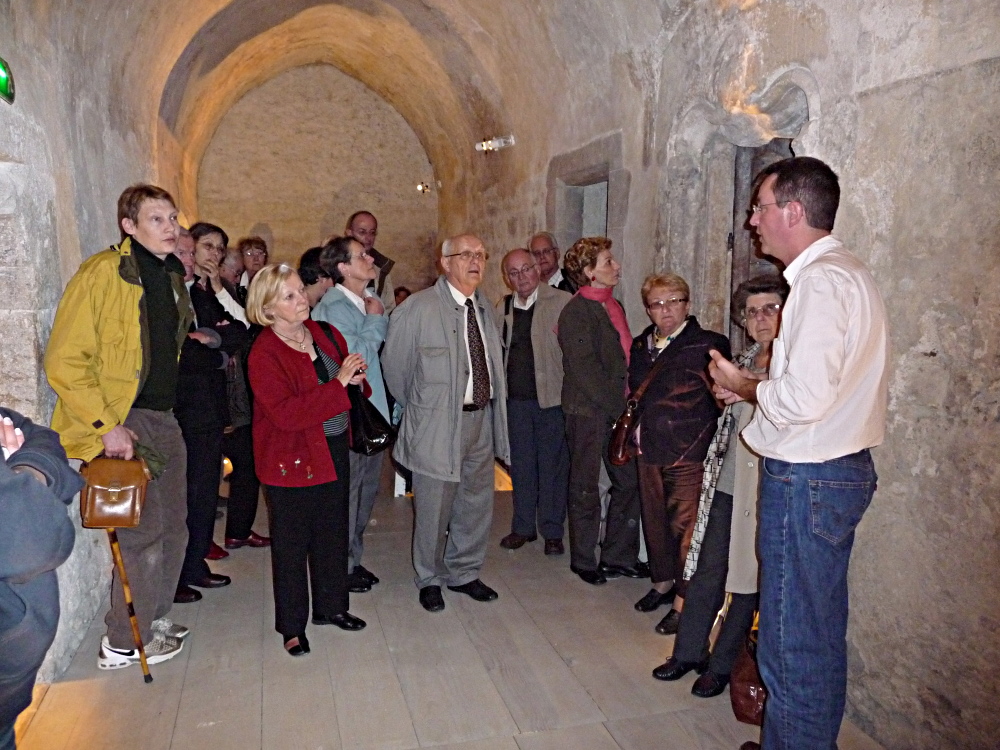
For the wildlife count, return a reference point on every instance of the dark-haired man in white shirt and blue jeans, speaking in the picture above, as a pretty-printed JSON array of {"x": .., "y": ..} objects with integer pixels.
[{"x": 818, "y": 415}]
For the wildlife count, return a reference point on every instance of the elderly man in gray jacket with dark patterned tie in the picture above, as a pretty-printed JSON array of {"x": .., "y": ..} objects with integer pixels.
[{"x": 442, "y": 362}]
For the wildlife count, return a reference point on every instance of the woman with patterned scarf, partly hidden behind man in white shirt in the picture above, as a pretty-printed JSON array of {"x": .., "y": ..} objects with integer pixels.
[{"x": 722, "y": 556}]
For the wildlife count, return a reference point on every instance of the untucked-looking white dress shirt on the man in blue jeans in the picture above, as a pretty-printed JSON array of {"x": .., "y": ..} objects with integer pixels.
[{"x": 828, "y": 389}]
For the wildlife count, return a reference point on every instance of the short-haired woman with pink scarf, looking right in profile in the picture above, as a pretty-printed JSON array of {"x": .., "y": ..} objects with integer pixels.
[{"x": 595, "y": 339}]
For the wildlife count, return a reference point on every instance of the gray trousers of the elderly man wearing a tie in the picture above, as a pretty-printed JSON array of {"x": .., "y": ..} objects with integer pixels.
[{"x": 452, "y": 520}]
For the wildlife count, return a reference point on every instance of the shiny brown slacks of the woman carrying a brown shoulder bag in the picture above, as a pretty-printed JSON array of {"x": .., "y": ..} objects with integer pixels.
[{"x": 669, "y": 509}]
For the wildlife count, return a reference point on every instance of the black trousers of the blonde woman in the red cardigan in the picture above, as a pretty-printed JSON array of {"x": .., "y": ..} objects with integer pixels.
[{"x": 309, "y": 544}]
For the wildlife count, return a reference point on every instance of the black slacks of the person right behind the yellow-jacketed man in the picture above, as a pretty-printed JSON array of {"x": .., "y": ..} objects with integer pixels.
[{"x": 204, "y": 451}]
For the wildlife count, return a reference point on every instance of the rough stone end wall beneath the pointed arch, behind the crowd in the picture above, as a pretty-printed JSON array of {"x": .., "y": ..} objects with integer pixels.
[{"x": 295, "y": 157}]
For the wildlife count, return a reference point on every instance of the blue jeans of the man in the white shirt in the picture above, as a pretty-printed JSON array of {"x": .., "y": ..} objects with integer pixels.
[{"x": 808, "y": 513}]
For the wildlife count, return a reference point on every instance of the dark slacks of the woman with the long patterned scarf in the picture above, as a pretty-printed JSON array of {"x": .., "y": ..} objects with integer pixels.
[{"x": 706, "y": 593}]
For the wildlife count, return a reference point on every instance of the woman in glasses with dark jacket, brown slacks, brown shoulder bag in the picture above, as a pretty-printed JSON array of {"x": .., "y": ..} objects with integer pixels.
[{"x": 677, "y": 418}]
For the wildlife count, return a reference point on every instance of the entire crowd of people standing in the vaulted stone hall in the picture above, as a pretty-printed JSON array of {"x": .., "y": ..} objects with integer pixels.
[{"x": 174, "y": 343}]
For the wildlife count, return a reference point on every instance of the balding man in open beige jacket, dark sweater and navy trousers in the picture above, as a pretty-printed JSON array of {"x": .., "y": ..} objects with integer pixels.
[{"x": 539, "y": 458}]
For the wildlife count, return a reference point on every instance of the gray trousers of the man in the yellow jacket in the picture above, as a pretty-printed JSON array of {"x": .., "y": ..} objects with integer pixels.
[{"x": 154, "y": 550}]
